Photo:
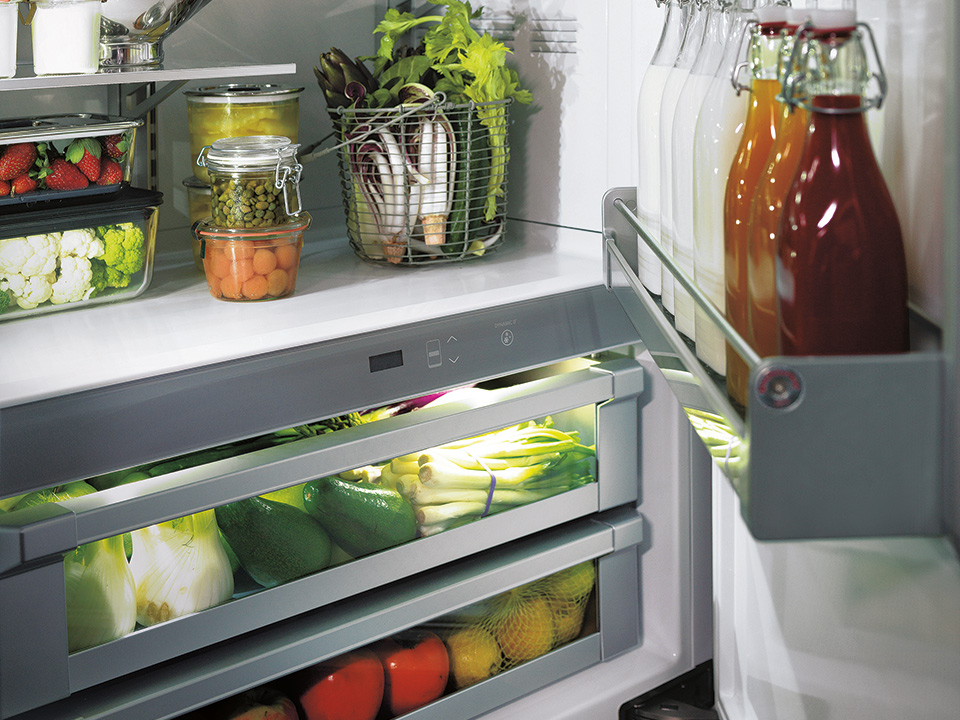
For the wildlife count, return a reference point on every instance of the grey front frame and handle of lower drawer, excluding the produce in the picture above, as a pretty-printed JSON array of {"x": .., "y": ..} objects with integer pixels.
[{"x": 186, "y": 687}]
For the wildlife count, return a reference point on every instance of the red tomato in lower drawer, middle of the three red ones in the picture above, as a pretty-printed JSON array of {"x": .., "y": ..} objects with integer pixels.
[{"x": 347, "y": 687}]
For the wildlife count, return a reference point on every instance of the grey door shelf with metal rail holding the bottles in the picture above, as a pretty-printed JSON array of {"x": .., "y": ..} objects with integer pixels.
[{"x": 827, "y": 447}]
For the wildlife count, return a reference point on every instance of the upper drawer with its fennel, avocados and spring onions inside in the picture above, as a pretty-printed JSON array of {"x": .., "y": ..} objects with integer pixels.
[{"x": 520, "y": 455}]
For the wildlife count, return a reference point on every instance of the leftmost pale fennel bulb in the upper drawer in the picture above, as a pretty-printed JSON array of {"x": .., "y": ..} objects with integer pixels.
[{"x": 101, "y": 602}]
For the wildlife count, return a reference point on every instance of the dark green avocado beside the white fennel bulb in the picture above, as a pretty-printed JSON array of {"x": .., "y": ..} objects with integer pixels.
[{"x": 274, "y": 542}]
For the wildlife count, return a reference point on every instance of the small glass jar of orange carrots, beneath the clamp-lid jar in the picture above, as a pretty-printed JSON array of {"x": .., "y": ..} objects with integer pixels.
[{"x": 246, "y": 265}]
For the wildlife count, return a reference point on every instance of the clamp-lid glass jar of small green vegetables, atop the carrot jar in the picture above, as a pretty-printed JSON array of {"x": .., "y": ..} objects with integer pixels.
[{"x": 254, "y": 181}]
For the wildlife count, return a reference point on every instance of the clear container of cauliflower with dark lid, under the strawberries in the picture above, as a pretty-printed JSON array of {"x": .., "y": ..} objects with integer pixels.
[{"x": 78, "y": 254}]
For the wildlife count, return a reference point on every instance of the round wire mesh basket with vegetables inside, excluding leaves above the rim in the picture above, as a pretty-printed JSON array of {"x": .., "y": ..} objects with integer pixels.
[{"x": 426, "y": 183}]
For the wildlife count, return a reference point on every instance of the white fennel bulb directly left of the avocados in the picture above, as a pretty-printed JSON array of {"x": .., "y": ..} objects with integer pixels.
[{"x": 179, "y": 567}]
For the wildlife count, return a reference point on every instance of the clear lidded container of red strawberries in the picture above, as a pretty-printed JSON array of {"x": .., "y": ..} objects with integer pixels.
[{"x": 56, "y": 157}]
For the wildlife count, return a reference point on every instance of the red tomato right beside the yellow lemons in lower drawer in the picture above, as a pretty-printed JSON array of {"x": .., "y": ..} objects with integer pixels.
[{"x": 416, "y": 667}]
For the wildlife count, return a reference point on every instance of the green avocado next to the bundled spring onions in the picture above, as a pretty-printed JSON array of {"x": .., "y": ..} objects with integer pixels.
[{"x": 361, "y": 517}]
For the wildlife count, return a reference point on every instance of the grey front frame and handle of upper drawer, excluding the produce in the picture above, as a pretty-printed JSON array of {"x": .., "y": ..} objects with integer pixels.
[{"x": 604, "y": 396}]
